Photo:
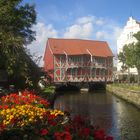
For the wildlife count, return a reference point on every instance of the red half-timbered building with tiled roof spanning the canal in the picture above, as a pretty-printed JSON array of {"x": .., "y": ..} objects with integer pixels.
[{"x": 76, "y": 60}]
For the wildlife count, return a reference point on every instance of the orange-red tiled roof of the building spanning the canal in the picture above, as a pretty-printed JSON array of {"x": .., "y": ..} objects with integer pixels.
[{"x": 79, "y": 47}]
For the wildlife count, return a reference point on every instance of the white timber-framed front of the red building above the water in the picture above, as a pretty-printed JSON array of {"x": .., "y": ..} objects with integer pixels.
[{"x": 90, "y": 71}]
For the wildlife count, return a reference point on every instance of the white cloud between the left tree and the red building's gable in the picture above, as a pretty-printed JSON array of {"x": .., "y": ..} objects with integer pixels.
[{"x": 43, "y": 32}]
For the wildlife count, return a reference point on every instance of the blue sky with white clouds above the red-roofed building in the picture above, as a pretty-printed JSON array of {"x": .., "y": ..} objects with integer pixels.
[{"x": 81, "y": 19}]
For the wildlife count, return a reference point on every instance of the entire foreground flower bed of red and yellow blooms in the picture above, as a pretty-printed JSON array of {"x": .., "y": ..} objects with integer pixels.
[{"x": 27, "y": 116}]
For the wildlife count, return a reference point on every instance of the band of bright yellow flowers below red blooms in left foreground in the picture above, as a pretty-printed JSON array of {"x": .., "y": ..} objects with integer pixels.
[{"x": 25, "y": 115}]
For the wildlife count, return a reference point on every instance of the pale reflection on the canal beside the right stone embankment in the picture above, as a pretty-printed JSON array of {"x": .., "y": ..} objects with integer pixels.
[{"x": 127, "y": 120}]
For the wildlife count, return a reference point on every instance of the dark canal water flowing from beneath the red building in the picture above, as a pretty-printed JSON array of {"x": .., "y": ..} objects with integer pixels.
[{"x": 118, "y": 118}]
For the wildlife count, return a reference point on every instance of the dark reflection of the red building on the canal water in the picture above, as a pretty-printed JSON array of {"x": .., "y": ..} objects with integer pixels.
[{"x": 95, "y": 106}]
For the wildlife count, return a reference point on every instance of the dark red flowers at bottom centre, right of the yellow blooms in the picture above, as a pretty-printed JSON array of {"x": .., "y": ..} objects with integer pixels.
[{"x": 83, "y": 130}]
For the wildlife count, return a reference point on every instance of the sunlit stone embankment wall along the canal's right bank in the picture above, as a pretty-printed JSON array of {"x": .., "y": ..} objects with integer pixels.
[{"x": 130, "y": 96}]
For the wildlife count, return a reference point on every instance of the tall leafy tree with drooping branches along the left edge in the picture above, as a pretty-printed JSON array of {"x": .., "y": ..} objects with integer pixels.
[{"x": 16, "y": 32}]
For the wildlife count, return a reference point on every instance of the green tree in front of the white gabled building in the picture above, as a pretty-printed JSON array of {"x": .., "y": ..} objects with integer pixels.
[{"x": 130, "y": 56}]
